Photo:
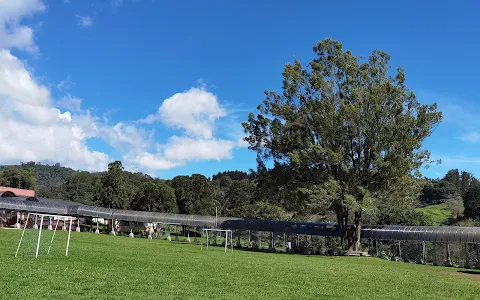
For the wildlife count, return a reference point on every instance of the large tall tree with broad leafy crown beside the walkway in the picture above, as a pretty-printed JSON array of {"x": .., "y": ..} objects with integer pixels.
[{"x": 354, "y": 122}]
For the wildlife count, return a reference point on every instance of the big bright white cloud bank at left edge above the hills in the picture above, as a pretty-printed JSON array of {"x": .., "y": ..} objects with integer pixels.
[{"x": 34, "y": 130}]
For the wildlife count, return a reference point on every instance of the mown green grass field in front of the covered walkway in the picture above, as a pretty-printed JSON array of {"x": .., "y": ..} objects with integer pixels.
[{"x": 109, "y": 267}]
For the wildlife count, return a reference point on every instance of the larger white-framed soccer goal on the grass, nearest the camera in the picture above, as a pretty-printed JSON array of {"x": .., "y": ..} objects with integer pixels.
[{"x": 44, "y": 234}]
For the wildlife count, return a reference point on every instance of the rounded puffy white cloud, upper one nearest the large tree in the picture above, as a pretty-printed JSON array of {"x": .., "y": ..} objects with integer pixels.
[{"x": 194, "y": 110}]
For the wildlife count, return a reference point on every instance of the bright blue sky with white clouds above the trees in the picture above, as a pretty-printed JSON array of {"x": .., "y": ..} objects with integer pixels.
[{"x": 112, "y": 64}]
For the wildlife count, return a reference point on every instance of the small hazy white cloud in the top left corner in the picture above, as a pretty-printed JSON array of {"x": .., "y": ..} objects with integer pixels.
[{"x": 12, "y": 33}]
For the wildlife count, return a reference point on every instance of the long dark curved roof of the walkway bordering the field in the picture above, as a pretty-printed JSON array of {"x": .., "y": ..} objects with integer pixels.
[{"x": 377, "y": 232}]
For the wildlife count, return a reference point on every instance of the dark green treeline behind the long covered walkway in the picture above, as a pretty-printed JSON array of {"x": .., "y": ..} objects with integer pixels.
[{"x": 262, "y": 194}]
